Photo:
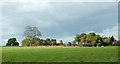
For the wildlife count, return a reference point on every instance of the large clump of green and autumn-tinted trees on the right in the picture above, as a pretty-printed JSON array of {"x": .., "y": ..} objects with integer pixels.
[{"x": 93, "y": 39}]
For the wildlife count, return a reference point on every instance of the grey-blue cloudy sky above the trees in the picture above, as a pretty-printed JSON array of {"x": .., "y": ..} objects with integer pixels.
[{"x": 59, "y": 20}]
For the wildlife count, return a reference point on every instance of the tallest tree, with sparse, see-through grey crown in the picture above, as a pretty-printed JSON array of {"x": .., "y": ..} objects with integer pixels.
[{"x": 31, "y": 32}]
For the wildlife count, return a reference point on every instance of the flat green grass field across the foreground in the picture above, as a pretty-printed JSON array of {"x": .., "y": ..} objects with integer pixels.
[{"x": 59, "y": 54}]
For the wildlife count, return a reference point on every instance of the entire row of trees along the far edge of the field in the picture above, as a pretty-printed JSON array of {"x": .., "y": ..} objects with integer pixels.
[{"x": 32, "y": 35}]
